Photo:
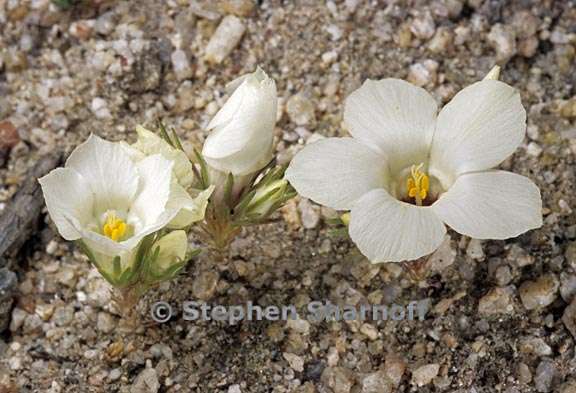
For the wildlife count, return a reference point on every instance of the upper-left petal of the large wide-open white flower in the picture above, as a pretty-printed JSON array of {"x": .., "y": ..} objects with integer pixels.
[{"x": 395, "y": 116}]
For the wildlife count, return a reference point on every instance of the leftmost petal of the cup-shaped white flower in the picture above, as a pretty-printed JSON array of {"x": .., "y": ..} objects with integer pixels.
[{"x": 67, "y": 195}]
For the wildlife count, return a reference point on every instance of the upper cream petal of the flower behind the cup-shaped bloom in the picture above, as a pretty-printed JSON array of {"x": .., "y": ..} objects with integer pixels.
[{"x": 150, "y": 143}]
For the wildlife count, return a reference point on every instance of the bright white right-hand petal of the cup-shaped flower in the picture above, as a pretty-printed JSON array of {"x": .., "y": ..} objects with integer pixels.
[{"x": 154, "y": 190}]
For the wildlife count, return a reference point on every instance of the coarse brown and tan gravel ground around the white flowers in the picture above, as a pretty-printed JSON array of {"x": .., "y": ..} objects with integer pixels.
[{"x": 503, "y": 313}]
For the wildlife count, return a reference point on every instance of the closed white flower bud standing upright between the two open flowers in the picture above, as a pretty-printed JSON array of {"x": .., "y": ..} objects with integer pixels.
[{"x": 241, "y": 140}]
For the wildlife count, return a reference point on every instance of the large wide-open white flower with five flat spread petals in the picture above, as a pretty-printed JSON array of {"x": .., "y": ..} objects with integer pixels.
[{"x": 409, "y": 170}]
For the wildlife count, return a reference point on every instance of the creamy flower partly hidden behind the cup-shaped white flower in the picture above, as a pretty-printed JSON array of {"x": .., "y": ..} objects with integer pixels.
[{"x": 191, "y": 210}]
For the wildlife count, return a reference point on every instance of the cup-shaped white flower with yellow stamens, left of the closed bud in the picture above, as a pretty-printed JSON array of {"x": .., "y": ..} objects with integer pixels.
[{"x": 111, "y": 202}]
